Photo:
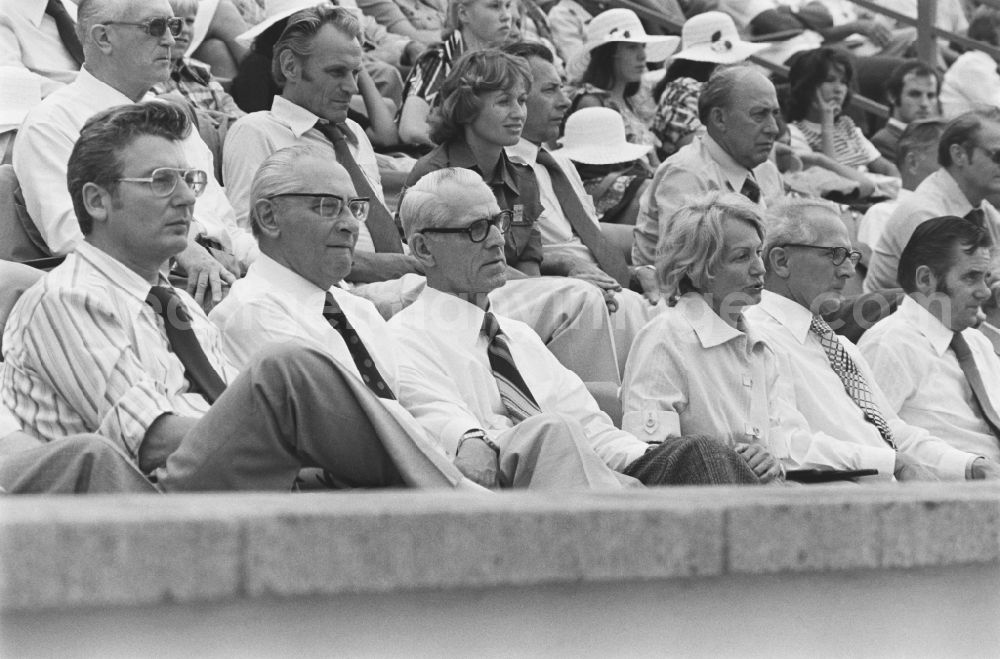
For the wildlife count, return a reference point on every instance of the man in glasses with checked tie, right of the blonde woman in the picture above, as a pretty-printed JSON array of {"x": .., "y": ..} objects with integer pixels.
[{"x": 854, "y": 425}]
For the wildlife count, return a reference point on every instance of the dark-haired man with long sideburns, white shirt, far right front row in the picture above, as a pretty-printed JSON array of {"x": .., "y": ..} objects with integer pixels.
[{"x": 937, "y": 371}]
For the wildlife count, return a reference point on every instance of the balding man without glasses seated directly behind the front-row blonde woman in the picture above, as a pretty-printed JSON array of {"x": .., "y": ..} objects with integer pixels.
[{"x": 739, "y": 108}]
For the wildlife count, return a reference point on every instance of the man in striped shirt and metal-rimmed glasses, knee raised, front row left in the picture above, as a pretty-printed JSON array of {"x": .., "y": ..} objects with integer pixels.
[{"x": 103, "y": 344}]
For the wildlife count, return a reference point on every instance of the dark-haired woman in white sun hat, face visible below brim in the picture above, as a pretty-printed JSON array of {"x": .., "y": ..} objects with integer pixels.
[{"x": 617, "y": 51}]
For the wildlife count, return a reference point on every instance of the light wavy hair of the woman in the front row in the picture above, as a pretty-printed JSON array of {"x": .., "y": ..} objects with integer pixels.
[{"x": 690, "y": 250}]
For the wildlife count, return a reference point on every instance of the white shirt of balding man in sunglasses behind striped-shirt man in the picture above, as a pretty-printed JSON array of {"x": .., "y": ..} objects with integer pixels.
[{"x": 41, "y": 156}]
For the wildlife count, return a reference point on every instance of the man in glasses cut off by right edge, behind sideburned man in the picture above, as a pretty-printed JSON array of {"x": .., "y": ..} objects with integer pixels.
[{"x": 968, "y": 155}]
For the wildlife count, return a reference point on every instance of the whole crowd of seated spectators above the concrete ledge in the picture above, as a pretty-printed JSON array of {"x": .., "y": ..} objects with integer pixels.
[{"x": 482, "y": 244}]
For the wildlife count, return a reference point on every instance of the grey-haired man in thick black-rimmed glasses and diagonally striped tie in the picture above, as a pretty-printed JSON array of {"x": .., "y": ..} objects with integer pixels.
[{"x": 484, "y": 386}]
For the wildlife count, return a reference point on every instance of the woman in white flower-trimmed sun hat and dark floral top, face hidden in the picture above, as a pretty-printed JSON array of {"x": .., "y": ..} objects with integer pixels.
[{"x": 708, "y": 41}]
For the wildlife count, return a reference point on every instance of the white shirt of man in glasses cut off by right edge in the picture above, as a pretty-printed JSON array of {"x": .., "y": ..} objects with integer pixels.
[{"x": 937, "y": 195}]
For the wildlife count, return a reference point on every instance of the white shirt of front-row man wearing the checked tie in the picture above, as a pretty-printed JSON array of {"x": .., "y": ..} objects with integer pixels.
[{"x": 842, "y": 438}]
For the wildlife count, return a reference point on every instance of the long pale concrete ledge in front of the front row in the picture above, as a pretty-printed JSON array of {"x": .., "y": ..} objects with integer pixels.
[{"x": 99, "y": 551}]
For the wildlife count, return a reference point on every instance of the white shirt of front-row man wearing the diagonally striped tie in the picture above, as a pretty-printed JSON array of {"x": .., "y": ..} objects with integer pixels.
[{"x": 447, "y": 383}]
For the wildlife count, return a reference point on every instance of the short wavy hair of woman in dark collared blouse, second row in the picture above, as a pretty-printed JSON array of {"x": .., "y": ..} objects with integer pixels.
[{"x": 475, "y": 73}]
